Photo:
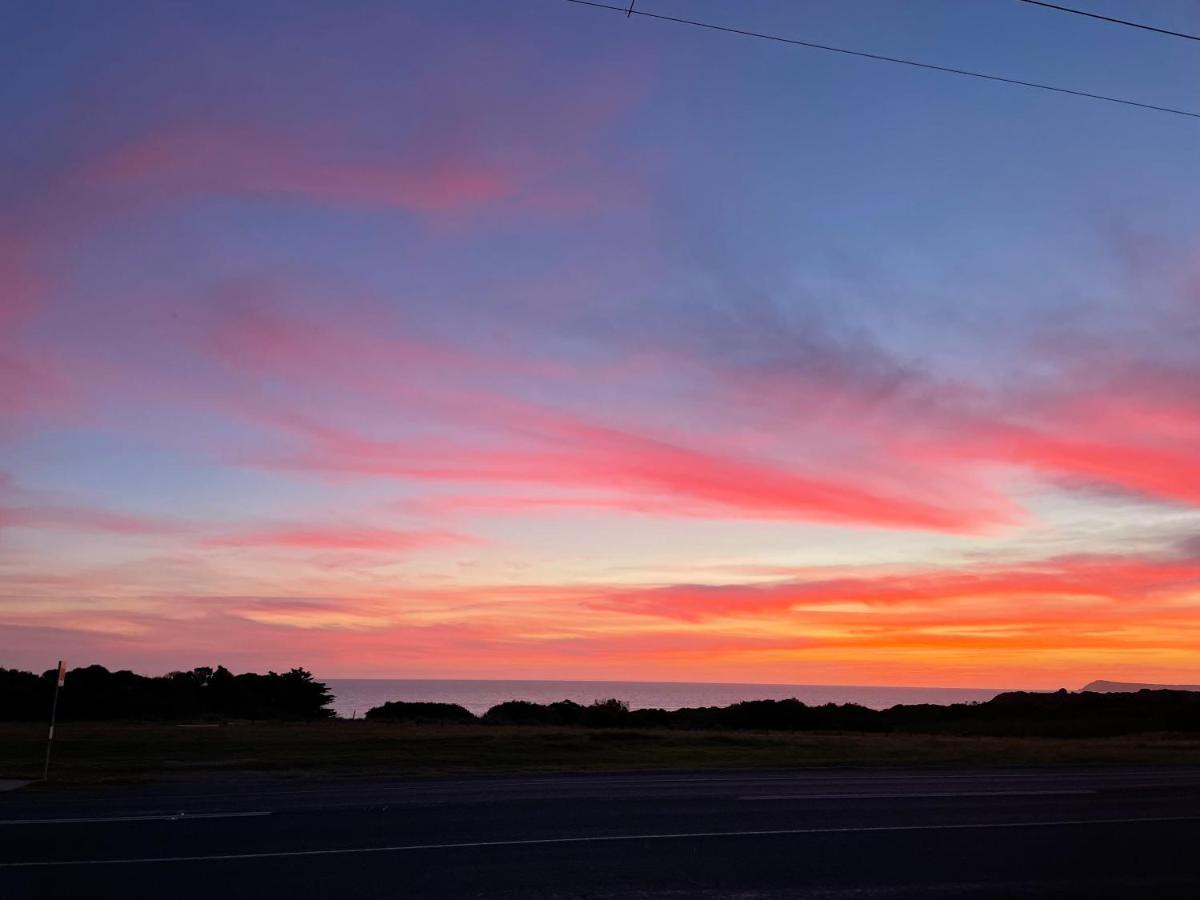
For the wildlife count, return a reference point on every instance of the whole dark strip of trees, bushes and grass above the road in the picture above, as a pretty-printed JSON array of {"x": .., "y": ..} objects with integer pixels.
[{"x": 212, "y": 722}]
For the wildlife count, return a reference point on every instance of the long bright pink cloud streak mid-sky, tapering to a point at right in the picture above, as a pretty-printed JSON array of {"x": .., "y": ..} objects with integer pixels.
[{"x": 513, "y": 441}]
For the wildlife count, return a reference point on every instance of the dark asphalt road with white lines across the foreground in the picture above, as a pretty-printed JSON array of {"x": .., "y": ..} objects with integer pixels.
[{"x": 815, "y": 835}]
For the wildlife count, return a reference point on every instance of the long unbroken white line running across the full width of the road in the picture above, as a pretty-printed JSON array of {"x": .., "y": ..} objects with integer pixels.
[{"x": 597, "y": 839}]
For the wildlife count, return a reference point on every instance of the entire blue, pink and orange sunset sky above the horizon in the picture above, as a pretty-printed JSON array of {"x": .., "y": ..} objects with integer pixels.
[{"x": 523, "y": 340}]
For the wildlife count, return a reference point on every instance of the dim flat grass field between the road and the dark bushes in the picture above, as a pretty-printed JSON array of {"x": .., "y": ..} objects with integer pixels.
[{"x": 94, "y": 753}]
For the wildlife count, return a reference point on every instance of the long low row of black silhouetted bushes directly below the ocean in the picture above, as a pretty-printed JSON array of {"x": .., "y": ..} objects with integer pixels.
[{"x": 1015, "y": 715}]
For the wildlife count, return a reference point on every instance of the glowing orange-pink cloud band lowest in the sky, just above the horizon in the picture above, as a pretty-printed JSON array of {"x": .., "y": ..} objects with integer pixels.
[{"x": 964, "y": 627}]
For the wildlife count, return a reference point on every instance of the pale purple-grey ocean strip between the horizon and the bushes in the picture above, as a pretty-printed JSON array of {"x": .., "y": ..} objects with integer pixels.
[{"x": 355, "y": 697}]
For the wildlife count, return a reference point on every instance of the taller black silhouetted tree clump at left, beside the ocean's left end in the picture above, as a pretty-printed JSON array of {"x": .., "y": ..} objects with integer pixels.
[{"x": 95, "y": 694}]
